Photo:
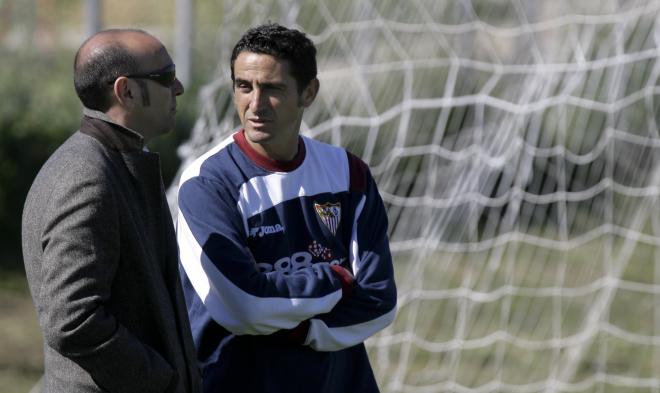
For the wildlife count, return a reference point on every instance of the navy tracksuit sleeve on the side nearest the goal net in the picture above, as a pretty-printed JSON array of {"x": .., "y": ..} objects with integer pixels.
[{"x": 372, "y": 306}]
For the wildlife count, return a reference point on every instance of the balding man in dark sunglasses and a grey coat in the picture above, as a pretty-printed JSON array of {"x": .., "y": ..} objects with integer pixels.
[{"x": 98, "y": 241}]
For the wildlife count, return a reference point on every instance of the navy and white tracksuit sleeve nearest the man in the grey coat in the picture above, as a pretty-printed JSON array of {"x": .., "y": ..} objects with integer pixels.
[{"x": 214, "y": 254}]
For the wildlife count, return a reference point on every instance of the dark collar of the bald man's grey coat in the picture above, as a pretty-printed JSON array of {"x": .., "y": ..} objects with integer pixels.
[{"x": 114, "y": 136}]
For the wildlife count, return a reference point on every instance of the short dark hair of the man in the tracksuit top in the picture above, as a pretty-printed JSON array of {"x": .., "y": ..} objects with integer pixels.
[{"x": 283, "y": 44}]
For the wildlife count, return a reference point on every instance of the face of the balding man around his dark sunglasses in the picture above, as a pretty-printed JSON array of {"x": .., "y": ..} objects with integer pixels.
[{"x": 156, "y": 108}]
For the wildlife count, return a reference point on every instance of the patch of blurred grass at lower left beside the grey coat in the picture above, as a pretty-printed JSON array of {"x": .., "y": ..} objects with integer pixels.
[{"x": 21, "y": 357}]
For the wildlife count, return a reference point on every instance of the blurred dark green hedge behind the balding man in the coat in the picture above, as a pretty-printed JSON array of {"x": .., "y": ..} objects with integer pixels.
[{"x": 38, "y": 112}]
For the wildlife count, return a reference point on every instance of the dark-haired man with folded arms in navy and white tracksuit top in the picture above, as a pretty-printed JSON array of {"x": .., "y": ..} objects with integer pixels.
[{"x": 283, "y": 239}]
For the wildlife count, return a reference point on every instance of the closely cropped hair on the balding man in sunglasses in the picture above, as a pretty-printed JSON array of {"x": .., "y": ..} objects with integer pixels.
[{"x": 92, "y": 78}]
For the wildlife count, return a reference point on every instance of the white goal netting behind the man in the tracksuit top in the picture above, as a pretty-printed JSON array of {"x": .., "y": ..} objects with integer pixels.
[{"x": 516, "y": 146}]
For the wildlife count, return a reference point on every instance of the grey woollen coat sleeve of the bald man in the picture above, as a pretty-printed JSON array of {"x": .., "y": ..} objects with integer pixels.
[{"x": 80, "y": 256}]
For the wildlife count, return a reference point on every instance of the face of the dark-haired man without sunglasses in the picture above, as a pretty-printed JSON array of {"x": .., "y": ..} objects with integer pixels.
[{"x": 268, "y": 104}]
